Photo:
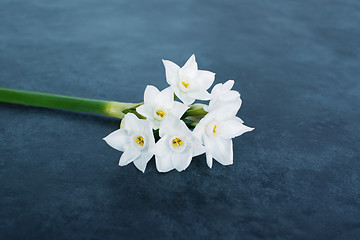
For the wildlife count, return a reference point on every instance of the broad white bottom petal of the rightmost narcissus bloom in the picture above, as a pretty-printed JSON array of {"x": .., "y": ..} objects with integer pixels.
[{"x": 221, "y": 149}]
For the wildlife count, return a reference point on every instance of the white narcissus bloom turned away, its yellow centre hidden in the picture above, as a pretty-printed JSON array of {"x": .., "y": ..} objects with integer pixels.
[{"x": 222, "y": 94}]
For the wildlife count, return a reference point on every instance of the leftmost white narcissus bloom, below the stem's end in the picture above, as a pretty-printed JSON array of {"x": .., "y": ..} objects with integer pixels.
[{"x": 135, "y": 138}]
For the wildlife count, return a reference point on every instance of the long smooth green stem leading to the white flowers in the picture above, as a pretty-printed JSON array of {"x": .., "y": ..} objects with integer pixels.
[{"x": 108, "y": 108}]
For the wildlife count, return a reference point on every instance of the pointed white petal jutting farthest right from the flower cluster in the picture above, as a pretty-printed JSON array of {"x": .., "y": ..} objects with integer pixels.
[{"x": 233, "y": 128}]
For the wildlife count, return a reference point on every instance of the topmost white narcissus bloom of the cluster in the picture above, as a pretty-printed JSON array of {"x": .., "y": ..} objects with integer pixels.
[{"x": 188, "y": 83}]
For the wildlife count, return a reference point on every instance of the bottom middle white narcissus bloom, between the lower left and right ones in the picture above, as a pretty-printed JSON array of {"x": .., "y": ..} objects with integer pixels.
[{"x": 176, "y": 147}]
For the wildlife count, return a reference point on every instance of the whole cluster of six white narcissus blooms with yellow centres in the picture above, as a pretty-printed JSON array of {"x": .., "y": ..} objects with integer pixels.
[{"x": 214, "y": 125}]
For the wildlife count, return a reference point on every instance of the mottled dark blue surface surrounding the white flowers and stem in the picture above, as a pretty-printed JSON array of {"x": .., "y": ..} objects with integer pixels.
[{"x": 296, "y": 64}]
